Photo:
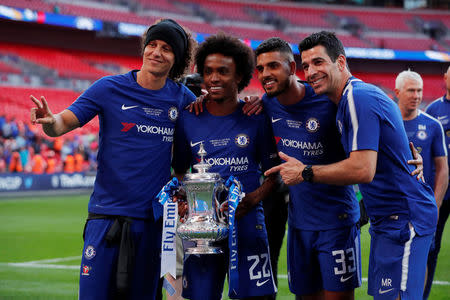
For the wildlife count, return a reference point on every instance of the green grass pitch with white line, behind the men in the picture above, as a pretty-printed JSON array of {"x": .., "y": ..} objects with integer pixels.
[{"x": 41, "y": 244}]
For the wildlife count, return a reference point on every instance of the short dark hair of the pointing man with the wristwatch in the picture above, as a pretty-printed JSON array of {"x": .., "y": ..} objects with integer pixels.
[{"x": 327, "y": 39}]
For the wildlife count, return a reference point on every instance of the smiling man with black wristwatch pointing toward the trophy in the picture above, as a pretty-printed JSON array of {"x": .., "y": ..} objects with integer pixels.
[{"x": 402, "y": 209}]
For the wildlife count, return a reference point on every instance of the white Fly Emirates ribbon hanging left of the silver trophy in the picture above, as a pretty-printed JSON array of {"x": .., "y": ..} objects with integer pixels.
[{"x": 168, "y": 242}]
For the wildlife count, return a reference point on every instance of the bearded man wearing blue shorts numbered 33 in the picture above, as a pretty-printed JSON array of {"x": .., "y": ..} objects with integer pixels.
[{"x": 323, "y": 236}]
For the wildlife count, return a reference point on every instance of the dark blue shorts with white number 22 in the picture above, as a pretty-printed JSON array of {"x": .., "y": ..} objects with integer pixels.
[{"x": 204, "y": 275}]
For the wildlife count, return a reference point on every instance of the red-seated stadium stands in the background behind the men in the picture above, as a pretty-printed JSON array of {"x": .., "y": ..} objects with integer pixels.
[{"x": 44, "y": 70}]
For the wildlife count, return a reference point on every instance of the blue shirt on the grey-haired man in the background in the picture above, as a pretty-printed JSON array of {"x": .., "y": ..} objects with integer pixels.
[{"x": 428, "y": 137}]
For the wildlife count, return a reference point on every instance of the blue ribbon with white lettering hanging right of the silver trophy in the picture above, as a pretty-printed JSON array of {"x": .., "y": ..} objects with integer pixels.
[{"x": 234, "y": 197}]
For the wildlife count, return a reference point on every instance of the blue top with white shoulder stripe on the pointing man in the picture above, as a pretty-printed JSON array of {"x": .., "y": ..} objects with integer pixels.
[{"x": 369, "y": 120}]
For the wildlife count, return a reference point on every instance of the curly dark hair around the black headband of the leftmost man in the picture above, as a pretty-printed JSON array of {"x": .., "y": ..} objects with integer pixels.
[{"x": 181, "y": 69}]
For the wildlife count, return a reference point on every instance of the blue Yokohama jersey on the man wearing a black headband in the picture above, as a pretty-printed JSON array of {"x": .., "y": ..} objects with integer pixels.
[{"x": 135, "y": 140}]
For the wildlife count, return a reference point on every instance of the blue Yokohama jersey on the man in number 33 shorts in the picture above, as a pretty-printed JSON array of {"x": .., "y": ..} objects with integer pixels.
[{"x": 307, "y": 131}]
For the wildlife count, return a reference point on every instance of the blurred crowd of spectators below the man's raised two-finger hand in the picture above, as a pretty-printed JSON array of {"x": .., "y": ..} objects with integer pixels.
[{"x": 23, "y": 148}]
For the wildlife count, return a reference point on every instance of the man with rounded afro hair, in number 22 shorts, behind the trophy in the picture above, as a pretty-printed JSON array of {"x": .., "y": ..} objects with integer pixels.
[{"x": 236, "y": 144}]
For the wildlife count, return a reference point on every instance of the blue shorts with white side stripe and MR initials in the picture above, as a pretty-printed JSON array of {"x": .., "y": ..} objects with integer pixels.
[{"x": 397, "y": 263}]
